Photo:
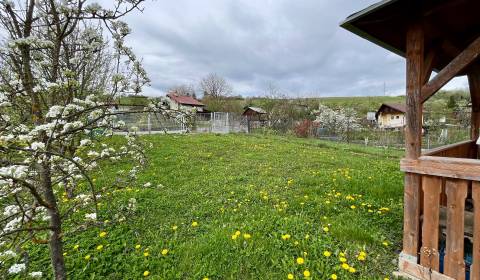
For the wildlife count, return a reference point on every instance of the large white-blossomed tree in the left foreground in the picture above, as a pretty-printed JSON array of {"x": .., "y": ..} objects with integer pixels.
[{"x": 59, "y": 81}]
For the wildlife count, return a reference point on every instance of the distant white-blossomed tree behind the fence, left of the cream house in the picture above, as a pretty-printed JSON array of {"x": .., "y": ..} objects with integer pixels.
[{"x": 339, "y": 122}]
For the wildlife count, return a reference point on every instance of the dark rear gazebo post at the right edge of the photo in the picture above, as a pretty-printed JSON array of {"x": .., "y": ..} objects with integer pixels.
[{"x": 474, "y": 83}]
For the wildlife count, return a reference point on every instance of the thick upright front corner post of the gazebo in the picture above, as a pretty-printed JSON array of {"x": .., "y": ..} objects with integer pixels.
[{"x": 413, "y": 135}]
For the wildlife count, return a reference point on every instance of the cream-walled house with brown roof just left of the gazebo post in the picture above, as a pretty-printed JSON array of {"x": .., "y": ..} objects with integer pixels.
[{"x": 391, "y": 116}]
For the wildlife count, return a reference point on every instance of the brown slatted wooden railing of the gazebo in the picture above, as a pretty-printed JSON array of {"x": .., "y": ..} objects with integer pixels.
[{"x": 446, "y": 182}]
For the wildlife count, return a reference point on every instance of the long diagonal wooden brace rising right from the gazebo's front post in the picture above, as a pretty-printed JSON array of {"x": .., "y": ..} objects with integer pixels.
[{"x": 459, "y": 63}]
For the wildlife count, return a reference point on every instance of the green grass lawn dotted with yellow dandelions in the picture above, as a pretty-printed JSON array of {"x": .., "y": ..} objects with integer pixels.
[{"x": 247, "y": 207}]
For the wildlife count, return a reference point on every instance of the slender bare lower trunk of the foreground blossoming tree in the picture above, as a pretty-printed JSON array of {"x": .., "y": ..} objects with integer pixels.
[{"x": 56, "y": 246}]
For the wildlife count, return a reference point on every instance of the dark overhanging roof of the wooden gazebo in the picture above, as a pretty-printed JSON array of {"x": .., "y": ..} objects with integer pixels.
[{"x": 450, "y": 25}]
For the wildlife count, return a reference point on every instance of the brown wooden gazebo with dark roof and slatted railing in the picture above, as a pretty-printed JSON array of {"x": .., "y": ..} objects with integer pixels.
[{"x": 441, "y": 36}]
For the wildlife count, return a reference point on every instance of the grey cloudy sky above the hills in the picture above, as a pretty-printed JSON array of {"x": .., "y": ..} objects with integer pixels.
[{"x": 297, "y": 46}]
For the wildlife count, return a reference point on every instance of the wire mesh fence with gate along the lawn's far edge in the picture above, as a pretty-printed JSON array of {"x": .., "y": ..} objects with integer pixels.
[{"x": 224, "y": 122}]
